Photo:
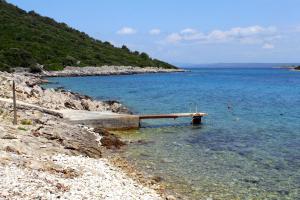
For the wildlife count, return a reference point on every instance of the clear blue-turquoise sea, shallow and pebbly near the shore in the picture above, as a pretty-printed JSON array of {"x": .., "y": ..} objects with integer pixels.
[{"x": 247, "y": 148}]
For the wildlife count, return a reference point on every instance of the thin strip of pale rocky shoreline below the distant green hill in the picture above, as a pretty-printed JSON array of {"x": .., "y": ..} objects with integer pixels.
[{"x": 106, "y": 70}]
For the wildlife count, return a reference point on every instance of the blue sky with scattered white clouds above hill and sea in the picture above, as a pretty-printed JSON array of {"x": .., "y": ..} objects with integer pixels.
[{"x": 187, "y": 31}]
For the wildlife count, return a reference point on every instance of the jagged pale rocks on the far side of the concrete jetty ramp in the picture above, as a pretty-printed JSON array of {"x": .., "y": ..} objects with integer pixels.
[{"x": 28, "y": 90}]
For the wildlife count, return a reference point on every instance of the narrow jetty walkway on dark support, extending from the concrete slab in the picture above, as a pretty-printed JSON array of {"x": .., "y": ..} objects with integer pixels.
[{"x": 196, "y": 117}]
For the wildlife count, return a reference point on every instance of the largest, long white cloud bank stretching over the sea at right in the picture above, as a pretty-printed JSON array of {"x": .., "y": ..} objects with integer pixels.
[{"x": 246, "y": 35}]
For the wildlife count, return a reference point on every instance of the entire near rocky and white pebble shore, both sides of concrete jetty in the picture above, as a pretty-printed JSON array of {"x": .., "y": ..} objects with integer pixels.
[{"x": 43, "y": 157}]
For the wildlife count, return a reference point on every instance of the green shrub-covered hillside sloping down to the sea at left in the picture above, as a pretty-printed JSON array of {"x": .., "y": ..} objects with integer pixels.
[{"x": 26, "y": 38}]
